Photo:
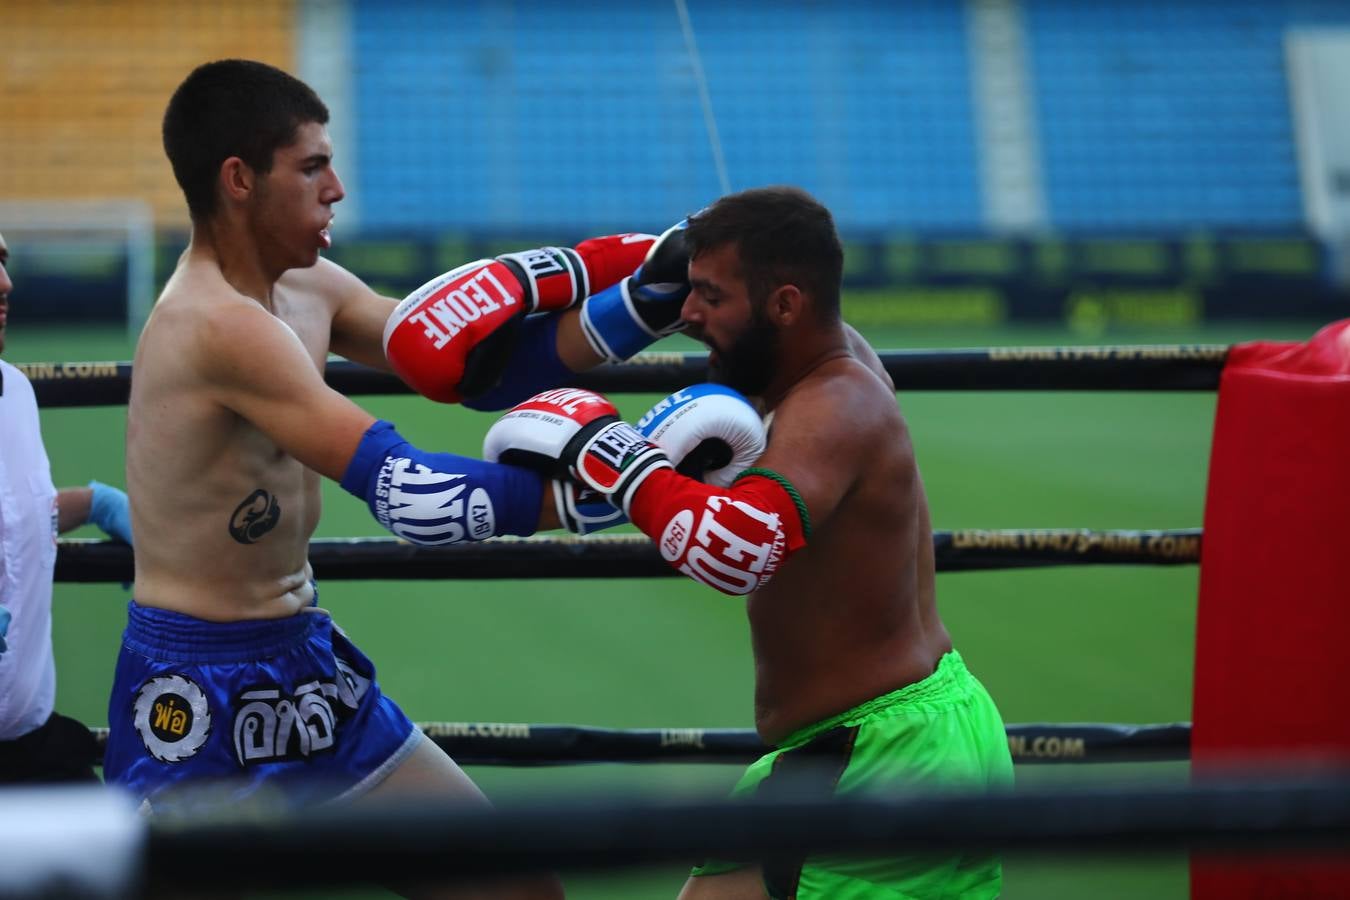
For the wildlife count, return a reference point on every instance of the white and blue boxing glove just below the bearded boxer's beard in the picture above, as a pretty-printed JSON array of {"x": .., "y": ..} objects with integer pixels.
[{"x": 712, "y": 434}]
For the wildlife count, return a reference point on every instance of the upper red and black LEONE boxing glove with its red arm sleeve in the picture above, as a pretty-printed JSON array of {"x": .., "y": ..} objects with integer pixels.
[{"x": 453, "y": 337}]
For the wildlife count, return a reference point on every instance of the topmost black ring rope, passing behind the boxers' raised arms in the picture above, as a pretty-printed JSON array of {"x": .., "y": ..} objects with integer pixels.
[{"x": 1171, "y": 368}]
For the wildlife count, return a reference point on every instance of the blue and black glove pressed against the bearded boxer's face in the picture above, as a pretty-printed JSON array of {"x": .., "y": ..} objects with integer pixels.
[{"x": 643, "y": 308}]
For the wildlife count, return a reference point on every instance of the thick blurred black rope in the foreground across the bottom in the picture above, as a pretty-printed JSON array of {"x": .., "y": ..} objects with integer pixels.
[{"x": 416, "y": 840}]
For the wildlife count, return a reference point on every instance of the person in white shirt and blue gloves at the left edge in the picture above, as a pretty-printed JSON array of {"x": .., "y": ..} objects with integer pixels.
[{"x": 36, "y": 743}]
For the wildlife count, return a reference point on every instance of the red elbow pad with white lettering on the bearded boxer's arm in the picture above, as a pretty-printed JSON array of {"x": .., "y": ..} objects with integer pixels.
[{"x": 730, "y": 539}]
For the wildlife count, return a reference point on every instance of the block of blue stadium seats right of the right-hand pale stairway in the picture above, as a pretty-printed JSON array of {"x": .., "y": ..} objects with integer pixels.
[{"x": 1168, "y": 117}]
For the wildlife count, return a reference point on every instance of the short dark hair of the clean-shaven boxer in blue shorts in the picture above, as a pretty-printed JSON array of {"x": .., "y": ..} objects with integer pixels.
[{"x": 233, "y": 109}]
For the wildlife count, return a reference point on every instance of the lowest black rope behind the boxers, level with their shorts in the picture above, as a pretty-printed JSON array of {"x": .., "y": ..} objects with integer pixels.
[{"x": 524, "y": 746}]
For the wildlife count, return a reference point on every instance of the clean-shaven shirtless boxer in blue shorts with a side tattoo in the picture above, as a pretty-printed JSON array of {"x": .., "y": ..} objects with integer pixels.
[{"x": 229, "y": 669}]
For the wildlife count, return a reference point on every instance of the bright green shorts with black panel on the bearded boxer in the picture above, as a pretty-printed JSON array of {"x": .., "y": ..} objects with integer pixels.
[{"x": 943, "y": 732}]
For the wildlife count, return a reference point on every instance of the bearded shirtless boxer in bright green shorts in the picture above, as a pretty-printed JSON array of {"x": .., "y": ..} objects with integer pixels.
[{"x": 828, "y": 535}]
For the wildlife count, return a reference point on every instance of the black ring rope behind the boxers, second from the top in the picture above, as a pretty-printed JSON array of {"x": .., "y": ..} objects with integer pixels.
[{"x": 387, "y": 559}]
